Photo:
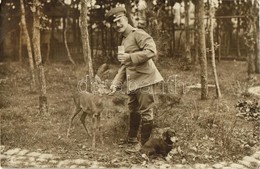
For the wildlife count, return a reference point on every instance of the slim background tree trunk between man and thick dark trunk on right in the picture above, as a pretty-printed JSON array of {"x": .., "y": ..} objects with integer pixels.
[{"x": 187, "y": 32}]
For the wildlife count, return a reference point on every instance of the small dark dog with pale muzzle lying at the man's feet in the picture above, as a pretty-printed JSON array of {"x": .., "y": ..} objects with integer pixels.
[{"x": 161, "y": 145}]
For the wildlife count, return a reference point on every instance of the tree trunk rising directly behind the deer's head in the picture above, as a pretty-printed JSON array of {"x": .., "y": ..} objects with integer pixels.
[{"x": 85, "y": 38}]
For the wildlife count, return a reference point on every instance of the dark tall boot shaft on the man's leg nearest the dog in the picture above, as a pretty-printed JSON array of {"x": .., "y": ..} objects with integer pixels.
[{"x": 146, "y": 130}]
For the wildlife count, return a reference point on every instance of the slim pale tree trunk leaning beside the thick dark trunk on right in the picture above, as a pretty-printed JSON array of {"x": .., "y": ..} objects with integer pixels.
[{"x": 212, "y": 48}]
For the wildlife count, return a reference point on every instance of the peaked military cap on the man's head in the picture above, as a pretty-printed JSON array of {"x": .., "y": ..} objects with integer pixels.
[{"x": 115, "y": 14}]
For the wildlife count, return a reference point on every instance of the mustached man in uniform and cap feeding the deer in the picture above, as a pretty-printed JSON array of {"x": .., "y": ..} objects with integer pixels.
[{"x": 140, "y": 73}]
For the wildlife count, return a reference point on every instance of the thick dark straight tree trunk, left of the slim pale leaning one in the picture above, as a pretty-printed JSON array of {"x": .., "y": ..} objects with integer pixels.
[{"x": 202, "y": 50}]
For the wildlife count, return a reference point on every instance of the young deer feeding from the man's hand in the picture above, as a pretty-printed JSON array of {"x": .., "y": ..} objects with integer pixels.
[{"x": 92, "y": 104}]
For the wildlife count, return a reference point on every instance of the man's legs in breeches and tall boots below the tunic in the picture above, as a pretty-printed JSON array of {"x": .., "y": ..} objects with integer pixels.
[{"x": 140, "y": 104}]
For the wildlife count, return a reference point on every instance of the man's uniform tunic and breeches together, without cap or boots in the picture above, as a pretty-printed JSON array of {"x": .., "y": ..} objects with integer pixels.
[{"x": 140, "y": 73}]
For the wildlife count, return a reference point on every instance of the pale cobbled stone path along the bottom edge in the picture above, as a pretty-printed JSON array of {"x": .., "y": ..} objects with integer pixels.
[{"x": 23, "y": 158}]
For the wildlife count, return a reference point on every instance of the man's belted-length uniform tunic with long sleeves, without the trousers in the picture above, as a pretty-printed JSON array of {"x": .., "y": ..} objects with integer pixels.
[{"x": 141, "y": 71}]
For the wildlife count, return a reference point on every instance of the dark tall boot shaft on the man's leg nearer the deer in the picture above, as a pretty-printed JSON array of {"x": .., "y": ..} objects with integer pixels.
[{"x": 134, "y": 123}]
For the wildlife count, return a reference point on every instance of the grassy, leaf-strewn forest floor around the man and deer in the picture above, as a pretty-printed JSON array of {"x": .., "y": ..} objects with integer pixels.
[{"x": 208, "y": 131}]
